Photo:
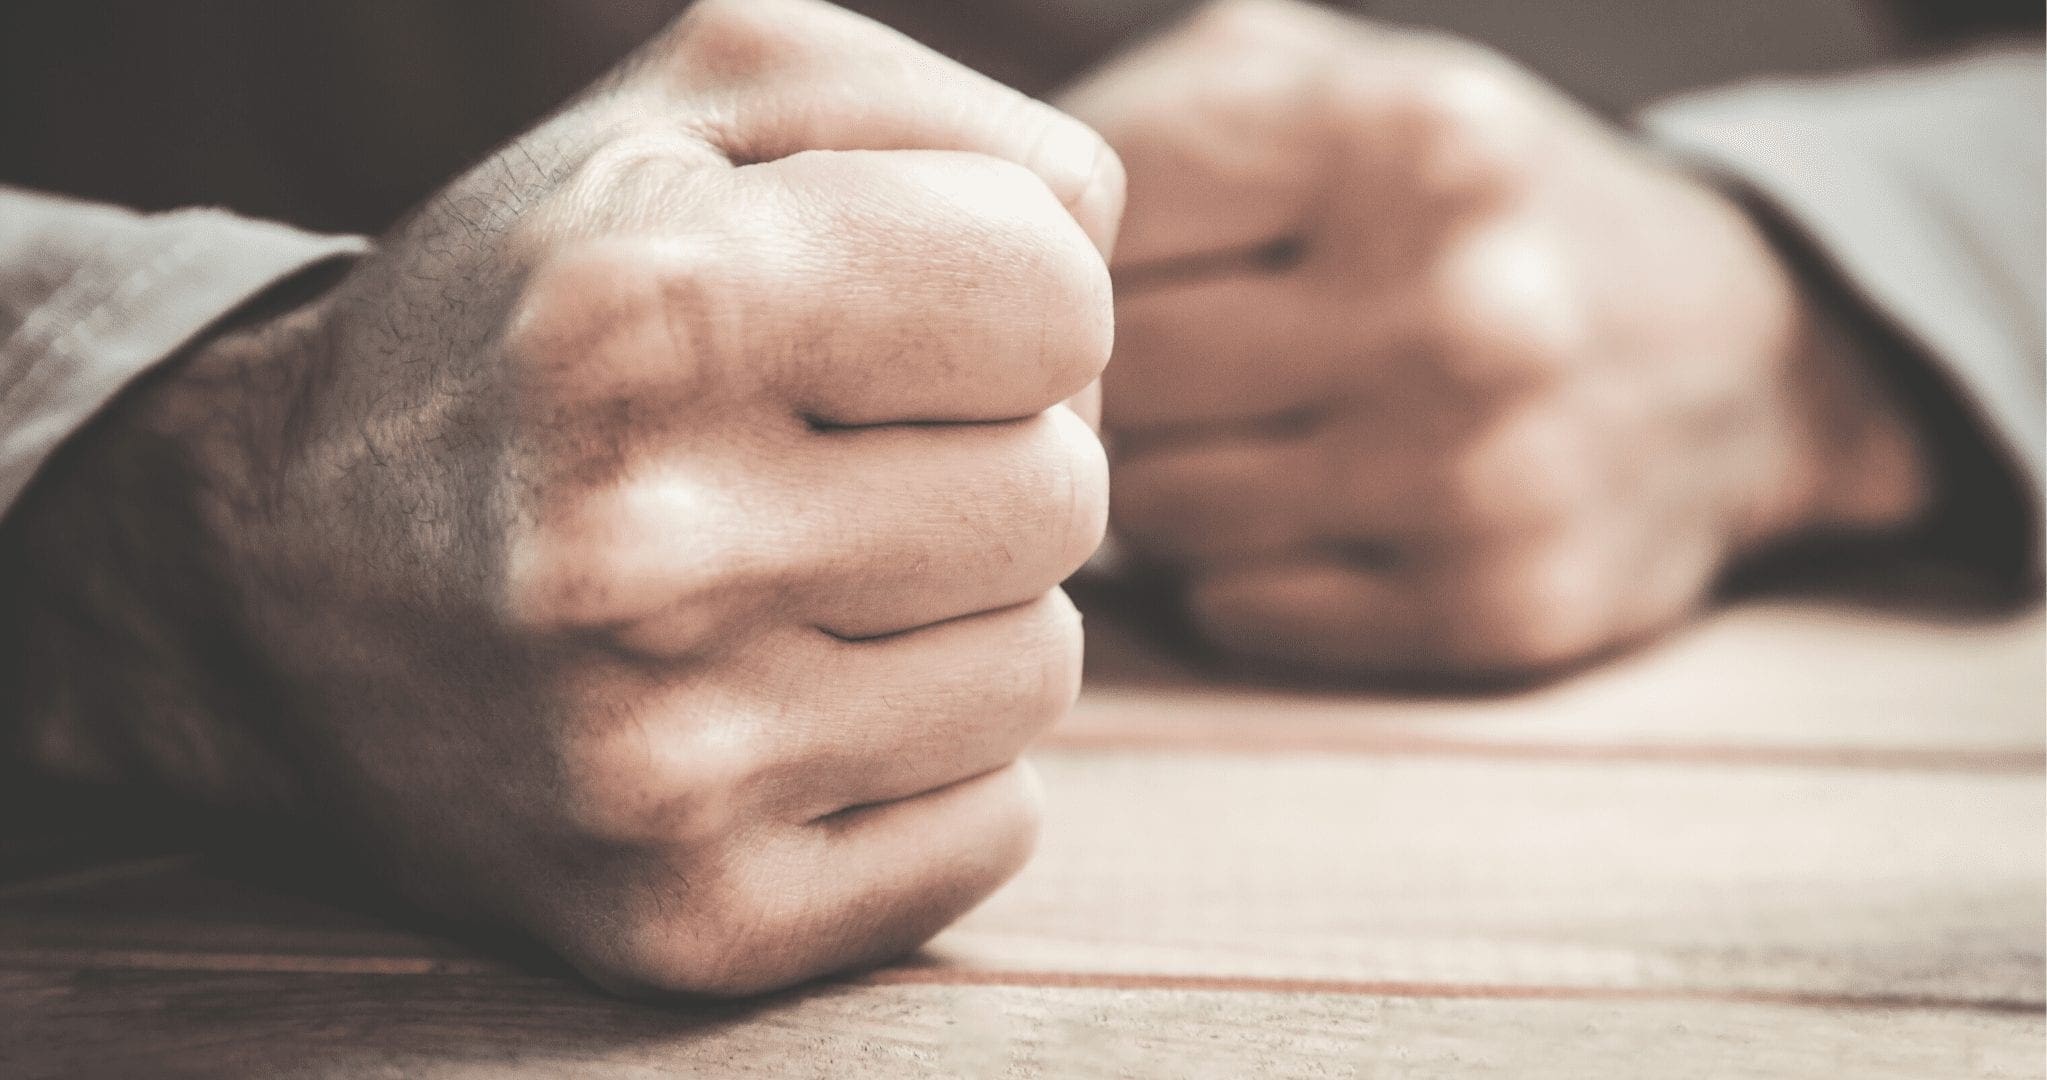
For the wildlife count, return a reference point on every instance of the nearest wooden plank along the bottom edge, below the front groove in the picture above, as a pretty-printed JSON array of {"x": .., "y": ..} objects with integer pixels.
[{"x": 451, "y": 1028}]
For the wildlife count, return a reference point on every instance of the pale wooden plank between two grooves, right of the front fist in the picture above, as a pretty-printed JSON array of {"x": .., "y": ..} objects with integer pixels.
[{"x": 1508, "y": 872}]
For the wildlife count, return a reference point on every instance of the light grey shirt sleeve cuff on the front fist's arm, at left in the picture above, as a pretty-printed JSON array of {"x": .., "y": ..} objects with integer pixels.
[{"x": 95, "y": 296}]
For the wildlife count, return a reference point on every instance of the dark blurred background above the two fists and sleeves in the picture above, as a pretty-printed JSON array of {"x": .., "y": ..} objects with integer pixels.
[{"x": 341, "y": 114}]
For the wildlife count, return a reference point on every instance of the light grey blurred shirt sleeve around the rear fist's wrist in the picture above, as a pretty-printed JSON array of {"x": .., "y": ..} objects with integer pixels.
[{"x": 1923, "y": 193}]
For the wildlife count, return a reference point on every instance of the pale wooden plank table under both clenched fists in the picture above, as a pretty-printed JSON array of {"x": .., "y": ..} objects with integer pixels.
[{"x": 1796, "y": 842}]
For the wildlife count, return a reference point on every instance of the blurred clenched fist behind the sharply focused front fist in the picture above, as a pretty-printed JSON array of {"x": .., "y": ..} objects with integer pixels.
[{"x": 1422, "y": 371}]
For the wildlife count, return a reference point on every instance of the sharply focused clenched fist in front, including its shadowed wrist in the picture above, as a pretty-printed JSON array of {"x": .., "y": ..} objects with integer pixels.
[{"x": 658, "y": 543}]
